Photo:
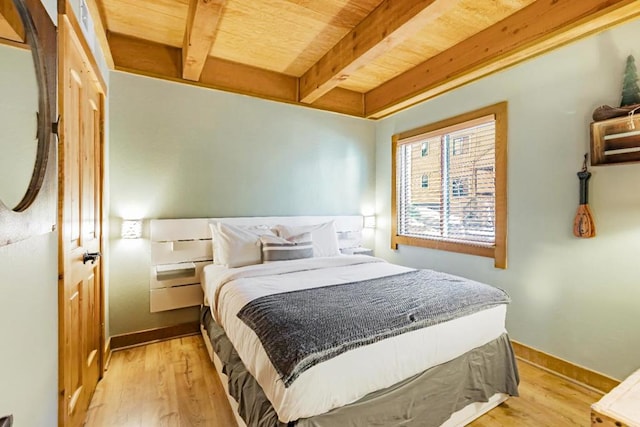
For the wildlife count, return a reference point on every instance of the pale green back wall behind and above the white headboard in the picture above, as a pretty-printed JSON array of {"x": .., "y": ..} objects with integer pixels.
[{"x": 181, "y": 151}]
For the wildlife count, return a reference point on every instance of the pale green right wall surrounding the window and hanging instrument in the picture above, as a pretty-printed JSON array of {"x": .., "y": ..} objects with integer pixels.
[{"x": 574, "y": 298}]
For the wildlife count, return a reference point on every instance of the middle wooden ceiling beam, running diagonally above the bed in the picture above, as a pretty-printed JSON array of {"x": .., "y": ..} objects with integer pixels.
[{"x": 391, "y": 23}]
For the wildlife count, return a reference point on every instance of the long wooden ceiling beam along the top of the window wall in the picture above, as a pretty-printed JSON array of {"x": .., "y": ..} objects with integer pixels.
[{"x": 533, "y": 30}]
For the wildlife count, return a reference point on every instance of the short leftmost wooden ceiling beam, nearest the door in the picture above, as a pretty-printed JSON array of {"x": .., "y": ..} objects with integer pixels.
[{"x": 199, "y": 34}]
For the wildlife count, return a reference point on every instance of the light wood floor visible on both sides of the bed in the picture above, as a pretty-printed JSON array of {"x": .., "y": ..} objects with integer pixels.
[{"x": 173, "y": 383}]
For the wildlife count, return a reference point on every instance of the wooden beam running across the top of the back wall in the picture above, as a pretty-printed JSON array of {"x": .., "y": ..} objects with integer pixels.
[{"x": 157, "y": 60}]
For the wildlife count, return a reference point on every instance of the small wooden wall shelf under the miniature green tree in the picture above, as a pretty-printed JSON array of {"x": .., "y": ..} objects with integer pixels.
[{"x": 615, "y": 140}]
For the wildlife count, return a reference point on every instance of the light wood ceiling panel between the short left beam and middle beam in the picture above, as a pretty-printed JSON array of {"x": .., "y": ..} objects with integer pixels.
[{"x": 285, "y": 36}]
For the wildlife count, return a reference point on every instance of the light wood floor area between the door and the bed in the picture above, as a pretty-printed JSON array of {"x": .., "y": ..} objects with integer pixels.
[{"x": 170, "y": 383}]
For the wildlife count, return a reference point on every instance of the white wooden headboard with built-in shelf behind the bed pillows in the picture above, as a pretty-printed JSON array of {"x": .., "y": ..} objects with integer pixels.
[{"x": 181, "y": 248}]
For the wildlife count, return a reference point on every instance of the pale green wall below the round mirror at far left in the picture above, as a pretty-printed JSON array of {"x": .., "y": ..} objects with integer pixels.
[{"x": 29, "y": 321}]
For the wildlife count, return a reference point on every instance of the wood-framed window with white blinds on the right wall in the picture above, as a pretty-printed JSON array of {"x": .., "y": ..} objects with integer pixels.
[{"x": 465, "y": 208}]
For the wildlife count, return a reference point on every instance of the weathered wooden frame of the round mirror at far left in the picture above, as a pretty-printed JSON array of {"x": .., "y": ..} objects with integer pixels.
[{"x": 36, "y": 213}]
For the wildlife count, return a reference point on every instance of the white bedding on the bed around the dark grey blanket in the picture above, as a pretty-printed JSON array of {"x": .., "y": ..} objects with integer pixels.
[{"x": 355, "y": 373}]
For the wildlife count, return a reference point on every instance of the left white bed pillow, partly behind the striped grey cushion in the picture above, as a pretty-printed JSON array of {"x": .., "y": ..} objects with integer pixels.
[{"x": 235, "y": 246}]
